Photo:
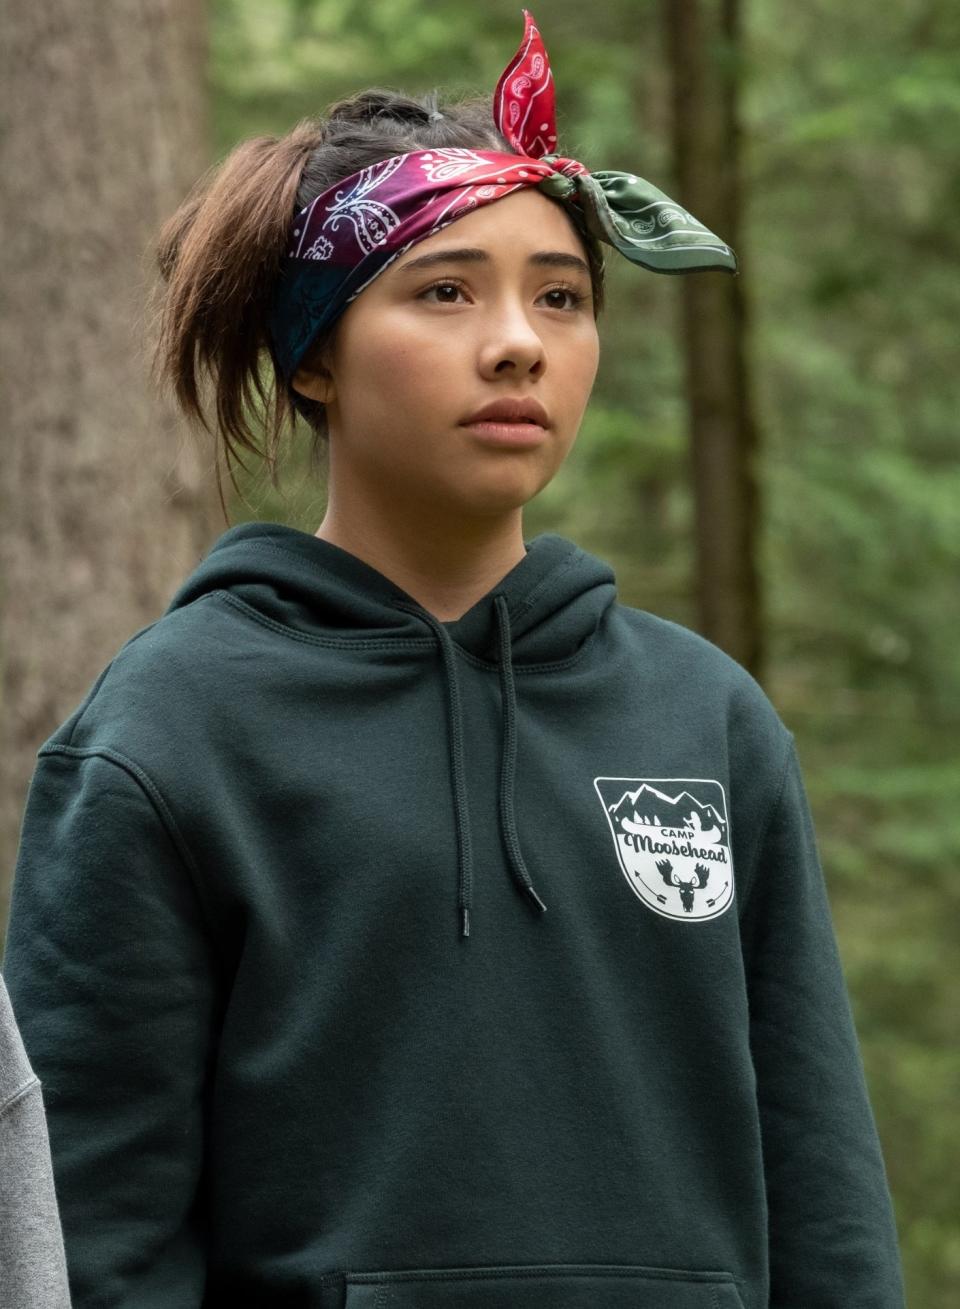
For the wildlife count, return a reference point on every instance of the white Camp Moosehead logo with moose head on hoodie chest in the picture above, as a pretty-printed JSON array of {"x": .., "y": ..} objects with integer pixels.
[{"x": 673, "y": 841}]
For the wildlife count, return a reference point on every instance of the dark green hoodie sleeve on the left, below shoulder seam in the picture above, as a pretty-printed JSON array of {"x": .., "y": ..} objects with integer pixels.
[{"x": 112, "y": 976}]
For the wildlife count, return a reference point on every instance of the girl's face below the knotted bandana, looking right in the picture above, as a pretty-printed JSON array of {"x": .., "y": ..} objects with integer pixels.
[{"x": 422, "y": 349}]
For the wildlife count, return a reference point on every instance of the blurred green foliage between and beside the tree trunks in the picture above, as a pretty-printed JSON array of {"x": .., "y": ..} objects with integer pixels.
[{"x": 852, "y": 185}]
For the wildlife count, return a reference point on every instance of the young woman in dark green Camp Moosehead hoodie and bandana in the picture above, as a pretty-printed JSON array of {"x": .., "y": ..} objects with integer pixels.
[{"x": 401, "y": 920}]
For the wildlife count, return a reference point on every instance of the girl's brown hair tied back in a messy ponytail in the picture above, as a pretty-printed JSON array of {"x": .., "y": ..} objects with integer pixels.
[{"x": 221, "y": 252}]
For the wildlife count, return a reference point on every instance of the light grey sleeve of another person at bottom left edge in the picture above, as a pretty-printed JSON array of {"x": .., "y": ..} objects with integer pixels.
[{"x": 33, "y": 1268}]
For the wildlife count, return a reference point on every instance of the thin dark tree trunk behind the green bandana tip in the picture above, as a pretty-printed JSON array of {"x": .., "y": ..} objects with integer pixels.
[{"x": 704, "y": 43}]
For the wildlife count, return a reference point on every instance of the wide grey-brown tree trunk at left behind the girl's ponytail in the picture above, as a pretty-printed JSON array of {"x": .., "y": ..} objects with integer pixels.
[{"x": 105, "y": 503}]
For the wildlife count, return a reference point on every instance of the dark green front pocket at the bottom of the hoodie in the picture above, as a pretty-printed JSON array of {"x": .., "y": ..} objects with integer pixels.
[{"x": 544, "y": 1286}]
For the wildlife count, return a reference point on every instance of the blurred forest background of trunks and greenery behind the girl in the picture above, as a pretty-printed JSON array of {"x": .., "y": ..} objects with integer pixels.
[{"x": 845, "y": 338}]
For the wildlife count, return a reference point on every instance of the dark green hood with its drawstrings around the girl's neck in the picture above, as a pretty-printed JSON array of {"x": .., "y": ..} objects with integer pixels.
[{"x": 540, "y": 613}]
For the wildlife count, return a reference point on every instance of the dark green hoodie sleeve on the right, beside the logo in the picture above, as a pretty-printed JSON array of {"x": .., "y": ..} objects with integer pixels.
[{"x": 832, "y": 1230}]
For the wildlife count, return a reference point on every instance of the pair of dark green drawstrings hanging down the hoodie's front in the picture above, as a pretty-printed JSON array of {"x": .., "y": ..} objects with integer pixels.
[{"x": 508, "y": 761}]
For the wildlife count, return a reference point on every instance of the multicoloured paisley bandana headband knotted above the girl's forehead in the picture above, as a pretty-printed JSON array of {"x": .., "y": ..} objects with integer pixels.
[{"x": 344, "y": 239}]
